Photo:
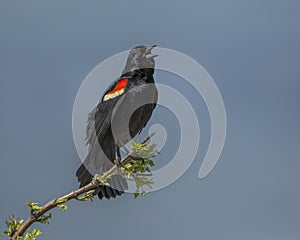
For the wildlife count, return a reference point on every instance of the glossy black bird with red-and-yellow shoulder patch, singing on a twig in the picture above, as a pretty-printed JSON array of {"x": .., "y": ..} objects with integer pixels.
[{"x": 124, "y": 110}]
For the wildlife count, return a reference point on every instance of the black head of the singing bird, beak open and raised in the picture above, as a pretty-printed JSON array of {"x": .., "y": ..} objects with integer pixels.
[{"x": 140, "y": 57}]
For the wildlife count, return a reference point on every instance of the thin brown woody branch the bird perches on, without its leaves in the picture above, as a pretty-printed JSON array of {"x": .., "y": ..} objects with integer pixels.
[{"x": 36, "y": 216}]
